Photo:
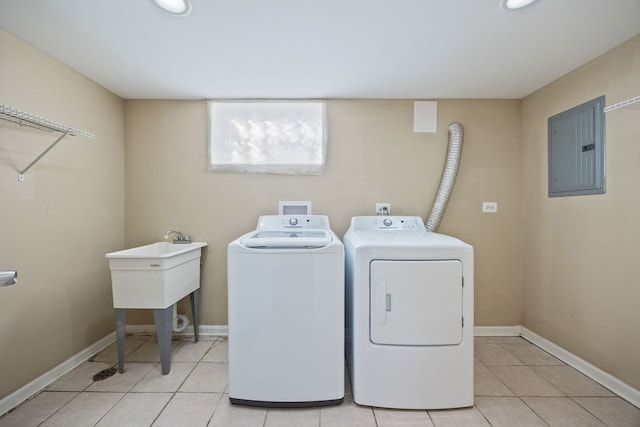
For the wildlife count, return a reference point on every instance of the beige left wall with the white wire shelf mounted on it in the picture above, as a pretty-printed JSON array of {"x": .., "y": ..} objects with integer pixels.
[{"x": 57, "y": 225}]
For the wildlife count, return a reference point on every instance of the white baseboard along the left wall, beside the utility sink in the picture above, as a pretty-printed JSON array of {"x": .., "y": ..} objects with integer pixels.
[{"x": 17, "y": 397}]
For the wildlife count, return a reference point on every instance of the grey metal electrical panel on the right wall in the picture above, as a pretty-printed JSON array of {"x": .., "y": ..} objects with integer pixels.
[{"x": 576, "y": 150}]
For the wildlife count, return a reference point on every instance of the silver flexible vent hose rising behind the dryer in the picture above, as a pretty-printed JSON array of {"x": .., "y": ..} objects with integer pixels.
[{"x": 448, "y": 179}]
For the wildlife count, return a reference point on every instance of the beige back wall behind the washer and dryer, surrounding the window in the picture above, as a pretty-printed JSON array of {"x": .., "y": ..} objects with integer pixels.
[{"x": 373, "y": 156}]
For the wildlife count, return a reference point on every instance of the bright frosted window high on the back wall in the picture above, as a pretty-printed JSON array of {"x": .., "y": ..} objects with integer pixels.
[{"x": 284, "y": 137}]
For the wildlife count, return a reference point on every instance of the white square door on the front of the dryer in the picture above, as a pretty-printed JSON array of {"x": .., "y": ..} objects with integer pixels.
[{"x": 416, "y": 302}]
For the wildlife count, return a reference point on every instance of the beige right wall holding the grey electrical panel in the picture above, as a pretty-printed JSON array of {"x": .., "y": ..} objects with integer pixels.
[{"x": 581, "y": 254}]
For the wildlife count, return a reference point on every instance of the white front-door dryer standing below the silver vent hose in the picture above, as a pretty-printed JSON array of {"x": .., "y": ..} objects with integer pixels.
[{"x": 409, "y": 315}]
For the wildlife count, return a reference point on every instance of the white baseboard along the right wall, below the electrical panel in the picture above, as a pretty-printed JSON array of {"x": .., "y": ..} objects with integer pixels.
[{"x": 620, "y": 388}]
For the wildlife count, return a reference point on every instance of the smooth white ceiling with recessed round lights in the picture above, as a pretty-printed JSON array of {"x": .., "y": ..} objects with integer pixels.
[{"x": 323, "y": 48}]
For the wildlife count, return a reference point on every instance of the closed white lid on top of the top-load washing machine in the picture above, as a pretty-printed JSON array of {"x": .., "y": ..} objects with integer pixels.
[{"x": 294, "y": 238}]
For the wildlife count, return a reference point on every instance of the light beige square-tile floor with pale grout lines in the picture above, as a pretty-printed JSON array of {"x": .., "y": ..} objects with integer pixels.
[{"x": 516, "y": 384}]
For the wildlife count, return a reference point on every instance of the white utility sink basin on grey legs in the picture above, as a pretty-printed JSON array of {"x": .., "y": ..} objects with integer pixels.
[{"x": 156, "y": 275}]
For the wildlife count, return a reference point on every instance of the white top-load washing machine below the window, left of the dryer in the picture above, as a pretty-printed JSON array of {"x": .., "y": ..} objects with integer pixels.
[{"x": 286, "y": 313}]
